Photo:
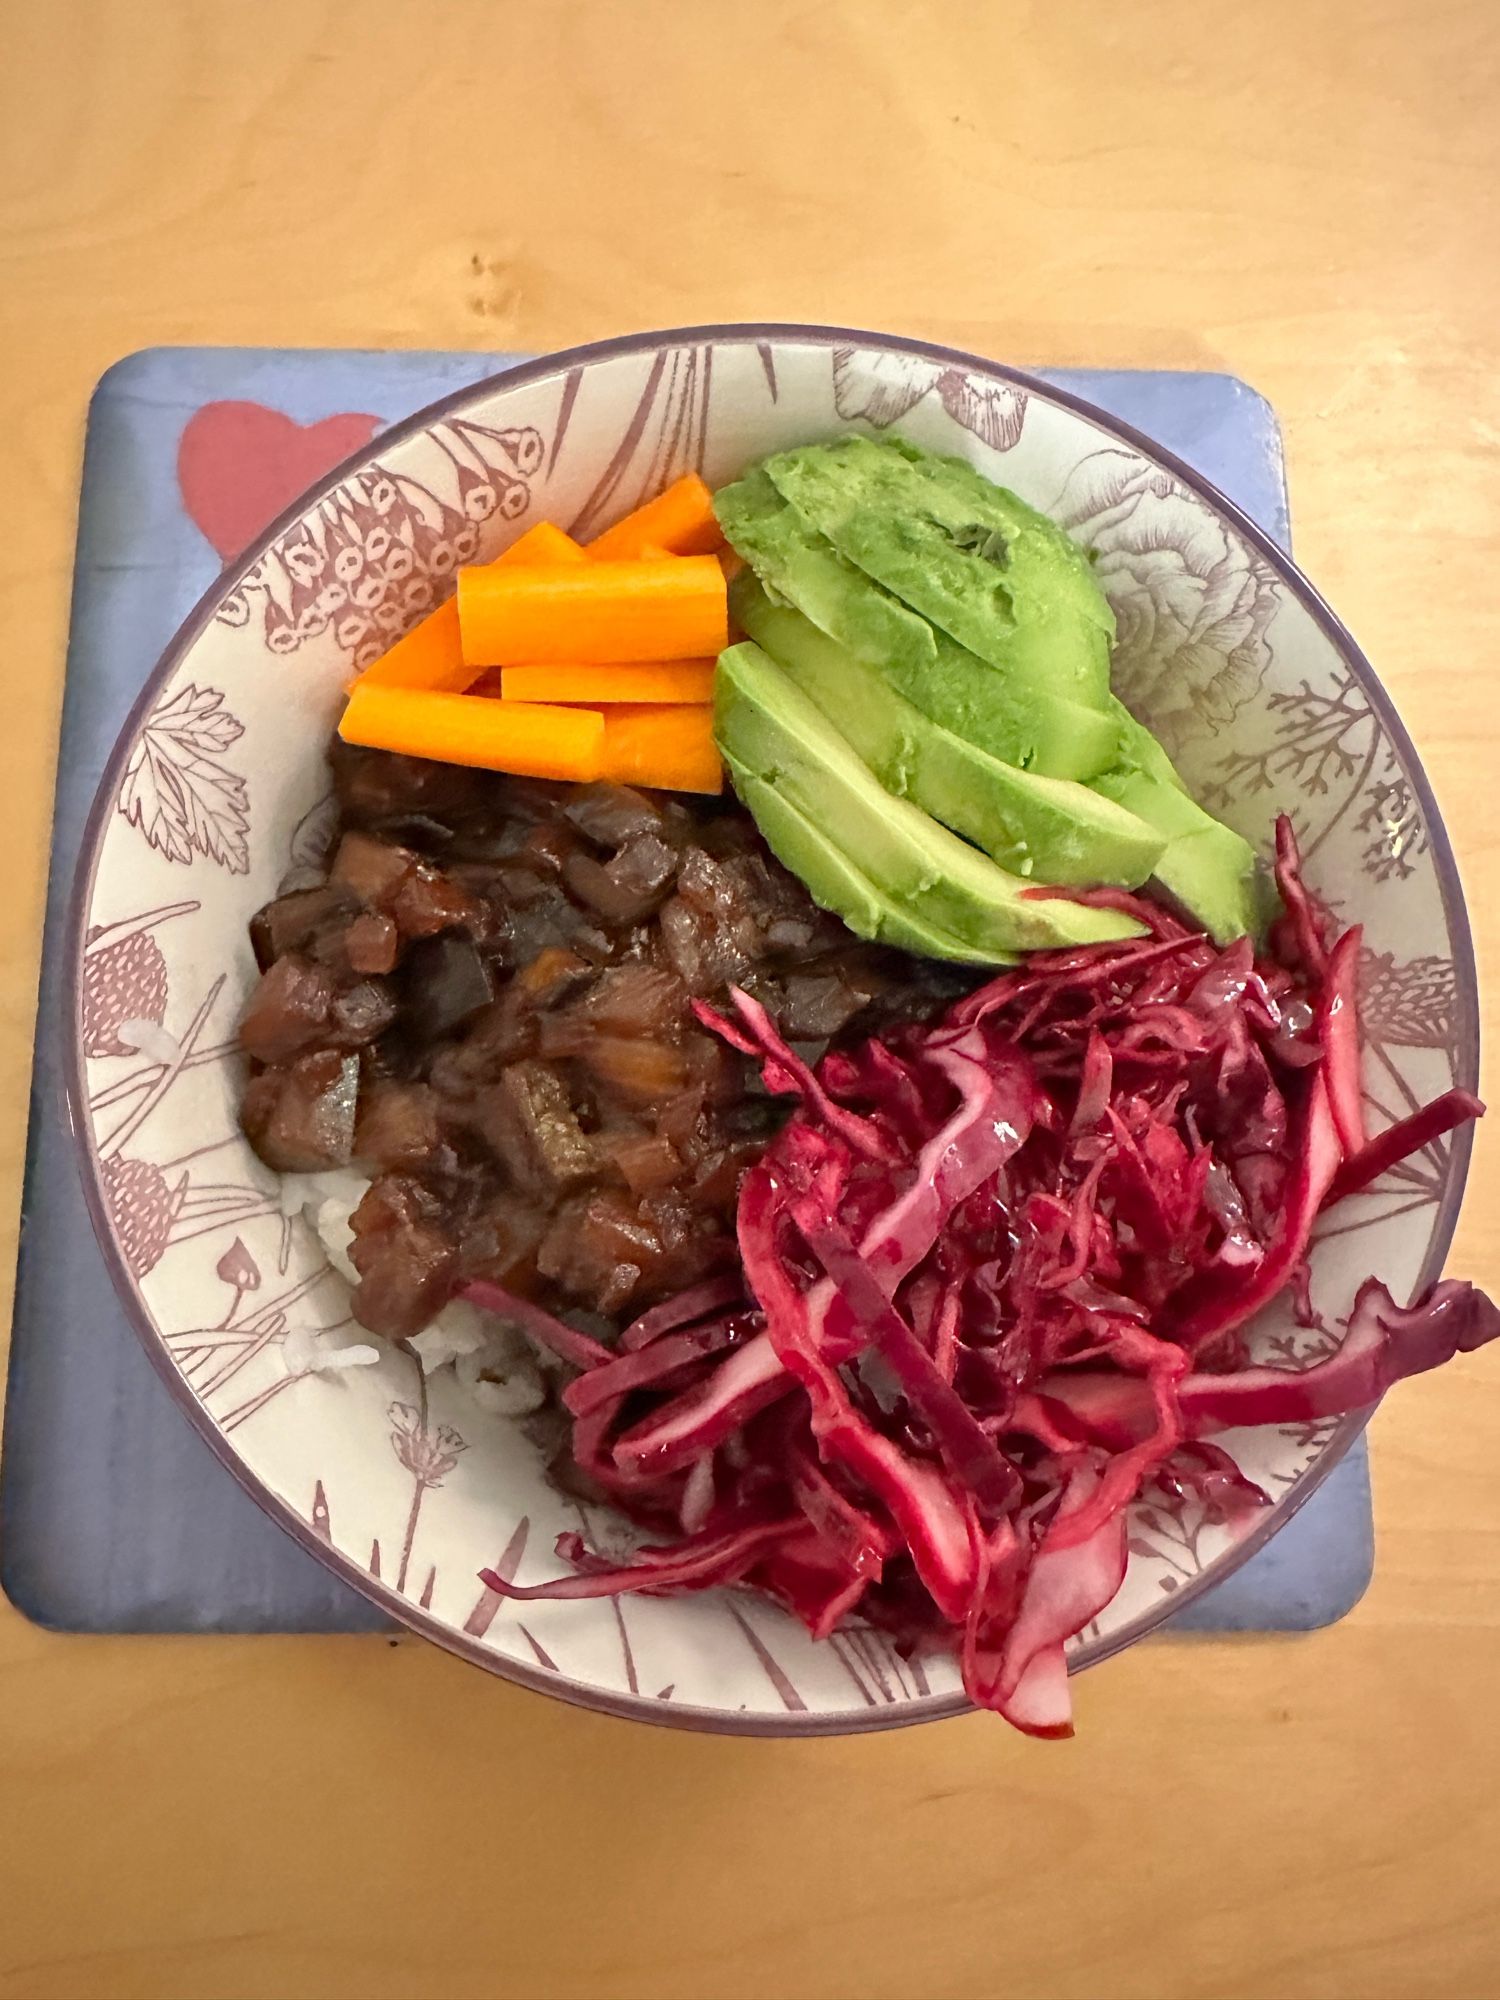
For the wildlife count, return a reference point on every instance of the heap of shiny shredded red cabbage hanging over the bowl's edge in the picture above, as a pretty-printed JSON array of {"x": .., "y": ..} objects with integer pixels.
[{"x": 995, "y": 1279}]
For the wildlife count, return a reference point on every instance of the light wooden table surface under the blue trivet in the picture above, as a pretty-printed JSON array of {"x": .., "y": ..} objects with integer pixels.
[{"x": 1299, "y": 193}]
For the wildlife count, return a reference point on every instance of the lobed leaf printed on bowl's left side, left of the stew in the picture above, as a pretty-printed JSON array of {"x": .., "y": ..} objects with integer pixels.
[{"x": 177, "y": 791}]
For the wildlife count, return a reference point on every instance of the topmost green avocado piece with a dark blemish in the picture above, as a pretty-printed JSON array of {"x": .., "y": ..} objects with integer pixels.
[{"x": 999, "y": 577}]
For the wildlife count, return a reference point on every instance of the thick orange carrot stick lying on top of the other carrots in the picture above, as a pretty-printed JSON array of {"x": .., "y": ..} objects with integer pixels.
[{"x": 599, "y": 613}]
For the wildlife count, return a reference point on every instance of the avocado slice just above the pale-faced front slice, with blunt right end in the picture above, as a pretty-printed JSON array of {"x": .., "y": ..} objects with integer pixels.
[{"x": 1045, "y": 829}]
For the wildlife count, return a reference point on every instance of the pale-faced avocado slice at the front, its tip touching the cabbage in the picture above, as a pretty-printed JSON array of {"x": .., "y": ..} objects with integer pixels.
[{"x": 771, "y": 731}]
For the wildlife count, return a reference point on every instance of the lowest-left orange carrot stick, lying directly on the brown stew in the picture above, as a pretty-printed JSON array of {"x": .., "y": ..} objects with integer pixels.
[{"x": 463, "y": 729}]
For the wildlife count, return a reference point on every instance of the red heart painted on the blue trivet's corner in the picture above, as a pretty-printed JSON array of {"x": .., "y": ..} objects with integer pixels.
[{"x": 241, "y": 465}]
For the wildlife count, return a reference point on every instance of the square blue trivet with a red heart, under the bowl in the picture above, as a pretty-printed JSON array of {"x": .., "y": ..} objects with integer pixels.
[{"x": 113, "y": 1513}]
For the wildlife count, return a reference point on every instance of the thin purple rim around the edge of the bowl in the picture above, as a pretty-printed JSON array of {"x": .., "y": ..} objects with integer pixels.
[{"x": 633, "y": 1707}]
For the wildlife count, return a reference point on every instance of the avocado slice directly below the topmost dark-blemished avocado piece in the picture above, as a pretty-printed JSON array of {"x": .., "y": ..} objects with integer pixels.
[{"x": 1053, "y": 737}]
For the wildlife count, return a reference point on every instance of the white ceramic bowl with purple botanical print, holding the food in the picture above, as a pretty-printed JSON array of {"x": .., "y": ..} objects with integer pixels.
[{"x": 217, "y": 797}]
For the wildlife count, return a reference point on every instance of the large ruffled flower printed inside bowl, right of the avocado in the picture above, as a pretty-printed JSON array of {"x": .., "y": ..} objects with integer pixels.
[{"x": 1191, "y": 601}]
